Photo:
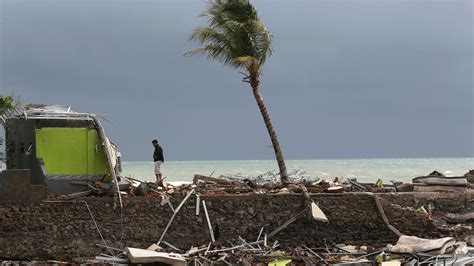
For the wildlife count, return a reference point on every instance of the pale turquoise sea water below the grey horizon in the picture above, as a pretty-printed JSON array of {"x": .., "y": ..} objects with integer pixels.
[{"x": 365, "y": 170}]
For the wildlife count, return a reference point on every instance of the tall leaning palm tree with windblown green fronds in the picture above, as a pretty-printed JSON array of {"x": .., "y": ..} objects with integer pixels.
[{"x": 236, "y": 37}]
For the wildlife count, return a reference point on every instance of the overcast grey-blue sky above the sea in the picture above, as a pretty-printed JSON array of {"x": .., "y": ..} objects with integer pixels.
[{"x": 347, "y": 79}]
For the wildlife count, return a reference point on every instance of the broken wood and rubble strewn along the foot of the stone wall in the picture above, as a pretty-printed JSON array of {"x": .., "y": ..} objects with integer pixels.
[{"x": 409, "y": 250}]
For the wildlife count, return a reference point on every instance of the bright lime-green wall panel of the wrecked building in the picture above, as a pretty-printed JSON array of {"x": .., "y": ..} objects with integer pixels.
[{"x": 70, "y": 151}]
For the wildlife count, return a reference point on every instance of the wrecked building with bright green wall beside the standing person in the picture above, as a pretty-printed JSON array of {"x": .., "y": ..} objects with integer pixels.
[{"x": 62, "y": 149}]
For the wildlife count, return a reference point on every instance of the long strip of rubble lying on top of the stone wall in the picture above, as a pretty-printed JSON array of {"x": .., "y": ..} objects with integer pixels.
[{"x": 269, "y": 183}]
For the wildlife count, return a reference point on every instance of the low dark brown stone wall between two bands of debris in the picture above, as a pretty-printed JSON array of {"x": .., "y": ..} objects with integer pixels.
[{"x": 66, "y": 230}]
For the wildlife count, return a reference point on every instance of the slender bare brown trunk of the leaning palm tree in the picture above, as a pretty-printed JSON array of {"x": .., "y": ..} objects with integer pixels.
[{"x": 271, "y": 132}]
